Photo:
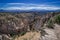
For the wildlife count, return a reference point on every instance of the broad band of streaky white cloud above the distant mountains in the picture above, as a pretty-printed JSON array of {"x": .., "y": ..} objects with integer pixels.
[{"x": 25, "y": 6}]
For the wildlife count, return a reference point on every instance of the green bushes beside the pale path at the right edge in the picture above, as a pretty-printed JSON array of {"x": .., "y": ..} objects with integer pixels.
[{"x": 55, "y": 19}]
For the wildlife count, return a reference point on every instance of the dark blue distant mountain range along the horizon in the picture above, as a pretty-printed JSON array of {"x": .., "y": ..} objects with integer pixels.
[{"x": 29, "y": 10}]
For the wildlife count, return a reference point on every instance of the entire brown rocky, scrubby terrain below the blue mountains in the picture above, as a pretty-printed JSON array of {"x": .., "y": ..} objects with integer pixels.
[{"x": 29, "y": 26}]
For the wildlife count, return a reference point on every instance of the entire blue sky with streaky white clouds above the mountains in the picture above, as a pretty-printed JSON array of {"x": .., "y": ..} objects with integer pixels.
[{"x": 30, "y": 4}]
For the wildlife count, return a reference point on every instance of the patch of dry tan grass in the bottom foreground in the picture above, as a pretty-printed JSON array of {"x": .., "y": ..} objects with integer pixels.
[{"x": 29, "y": 36}]
